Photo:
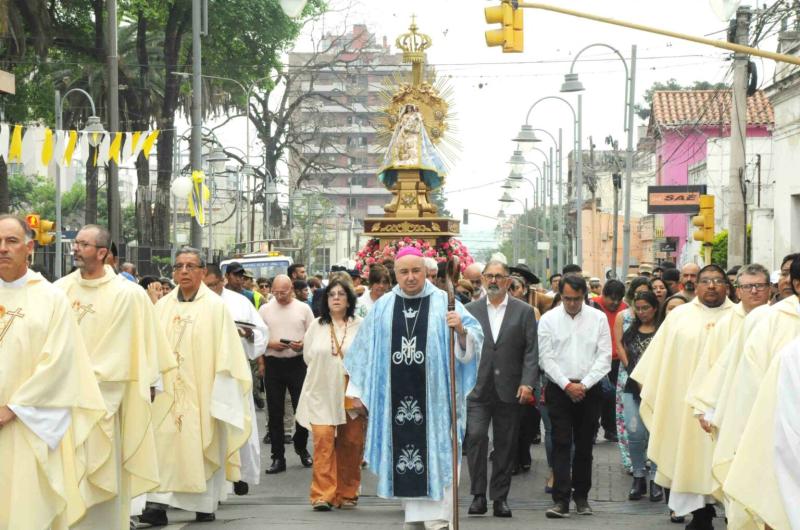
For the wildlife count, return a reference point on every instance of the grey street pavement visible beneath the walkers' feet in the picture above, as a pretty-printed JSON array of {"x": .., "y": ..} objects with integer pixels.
[{"x": 281, "y": 501}]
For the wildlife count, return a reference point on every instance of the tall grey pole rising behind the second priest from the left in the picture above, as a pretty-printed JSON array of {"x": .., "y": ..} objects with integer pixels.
[{"x": 114, "y": 214}]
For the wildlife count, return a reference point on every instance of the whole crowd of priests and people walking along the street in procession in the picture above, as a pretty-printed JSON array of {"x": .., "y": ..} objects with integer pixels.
[{"x": 128, "y": 395}]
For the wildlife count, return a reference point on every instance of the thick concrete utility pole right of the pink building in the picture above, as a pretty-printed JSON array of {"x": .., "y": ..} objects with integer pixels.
[{"x": 737, "y": 231}]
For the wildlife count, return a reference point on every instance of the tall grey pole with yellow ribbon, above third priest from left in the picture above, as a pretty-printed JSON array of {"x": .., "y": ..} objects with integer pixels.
[{"x": 195, "y": 230}]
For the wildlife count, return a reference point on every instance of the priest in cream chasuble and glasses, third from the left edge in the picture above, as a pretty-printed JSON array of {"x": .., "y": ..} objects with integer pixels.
[{"x": 198, "y": 437}]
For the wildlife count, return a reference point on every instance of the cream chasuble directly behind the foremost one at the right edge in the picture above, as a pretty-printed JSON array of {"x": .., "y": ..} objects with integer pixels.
[{"x": 774, "y": 331}]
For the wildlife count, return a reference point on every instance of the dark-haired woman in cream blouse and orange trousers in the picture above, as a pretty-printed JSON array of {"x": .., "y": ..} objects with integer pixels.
[{"x": 338, "y": 432}]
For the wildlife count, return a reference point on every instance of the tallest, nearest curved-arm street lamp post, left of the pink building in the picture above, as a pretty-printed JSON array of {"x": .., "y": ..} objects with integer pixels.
[{"x": 573, "y": 84}]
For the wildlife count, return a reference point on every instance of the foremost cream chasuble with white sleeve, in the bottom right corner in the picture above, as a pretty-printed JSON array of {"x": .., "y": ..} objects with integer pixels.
[{"x": 764, "y": 477}]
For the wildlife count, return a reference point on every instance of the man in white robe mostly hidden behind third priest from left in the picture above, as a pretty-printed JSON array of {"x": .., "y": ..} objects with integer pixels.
[{"x": 254, "y": 334}]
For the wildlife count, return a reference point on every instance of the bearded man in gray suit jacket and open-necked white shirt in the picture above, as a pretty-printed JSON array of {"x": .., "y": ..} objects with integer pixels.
[{"x": 507, "y": 375}]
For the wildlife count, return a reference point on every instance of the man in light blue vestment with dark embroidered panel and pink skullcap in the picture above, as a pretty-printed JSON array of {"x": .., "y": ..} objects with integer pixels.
[{"x": 399, "y": 368}]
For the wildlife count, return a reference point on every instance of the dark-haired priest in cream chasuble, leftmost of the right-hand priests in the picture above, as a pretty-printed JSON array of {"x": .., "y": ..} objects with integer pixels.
[{"x": 677, "y": 443}]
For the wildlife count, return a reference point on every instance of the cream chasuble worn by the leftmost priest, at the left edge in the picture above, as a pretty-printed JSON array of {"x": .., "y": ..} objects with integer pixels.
[{"x": 46, "y": 379}]
